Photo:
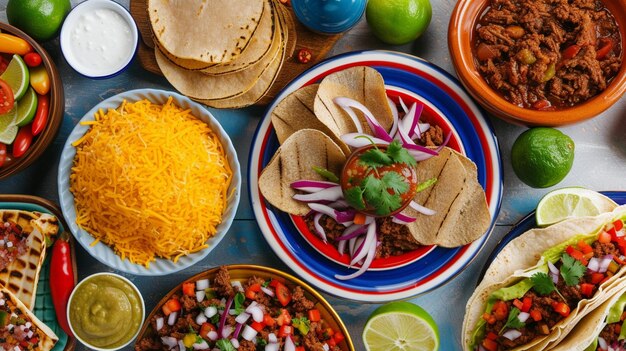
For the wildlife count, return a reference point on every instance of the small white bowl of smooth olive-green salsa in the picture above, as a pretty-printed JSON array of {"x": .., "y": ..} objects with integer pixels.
[{"x": 105, "y": 311}]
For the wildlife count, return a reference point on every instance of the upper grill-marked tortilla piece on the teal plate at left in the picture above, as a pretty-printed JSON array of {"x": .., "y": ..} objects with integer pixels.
[{"x": 21, "y": 276}]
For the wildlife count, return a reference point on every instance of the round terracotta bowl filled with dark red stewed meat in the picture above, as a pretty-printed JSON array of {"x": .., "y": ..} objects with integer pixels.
[{"x": 538, "y": 63}]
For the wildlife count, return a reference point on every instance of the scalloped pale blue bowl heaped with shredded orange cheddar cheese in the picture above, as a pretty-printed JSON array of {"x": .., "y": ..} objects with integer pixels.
[{"x": 149, "y": 182}]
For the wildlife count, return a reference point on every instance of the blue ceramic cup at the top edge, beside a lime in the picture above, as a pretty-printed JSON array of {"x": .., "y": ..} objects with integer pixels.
[{"x": 329, "y": 16}]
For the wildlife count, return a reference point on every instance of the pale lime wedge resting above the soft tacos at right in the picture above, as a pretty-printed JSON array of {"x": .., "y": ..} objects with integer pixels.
[{"x": 572, "y": 202}]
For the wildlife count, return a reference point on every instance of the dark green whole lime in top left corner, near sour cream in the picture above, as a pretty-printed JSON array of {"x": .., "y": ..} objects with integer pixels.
[{"x": 41, "y": 19}]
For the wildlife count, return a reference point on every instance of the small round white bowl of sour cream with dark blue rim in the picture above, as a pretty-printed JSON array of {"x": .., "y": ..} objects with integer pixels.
[{"x": 99, "y": 38}]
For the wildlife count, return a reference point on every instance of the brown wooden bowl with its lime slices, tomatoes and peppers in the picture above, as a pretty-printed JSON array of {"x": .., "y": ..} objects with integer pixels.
[{"x": 43, "y": 100}]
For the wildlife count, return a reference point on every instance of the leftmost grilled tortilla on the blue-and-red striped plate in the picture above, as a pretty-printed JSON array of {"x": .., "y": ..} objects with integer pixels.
[{"x": 293, "y": 161}]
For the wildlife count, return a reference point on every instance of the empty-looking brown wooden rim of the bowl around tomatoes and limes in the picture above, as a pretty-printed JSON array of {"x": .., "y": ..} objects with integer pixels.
[{"x": 56, "y": 107}]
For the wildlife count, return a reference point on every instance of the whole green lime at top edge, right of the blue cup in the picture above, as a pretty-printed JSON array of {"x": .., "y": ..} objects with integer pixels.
[{"x": 398, "y": 21}]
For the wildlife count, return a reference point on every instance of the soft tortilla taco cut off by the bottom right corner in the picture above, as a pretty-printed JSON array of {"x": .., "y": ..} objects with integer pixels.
[{"x": 602, "y": 329}]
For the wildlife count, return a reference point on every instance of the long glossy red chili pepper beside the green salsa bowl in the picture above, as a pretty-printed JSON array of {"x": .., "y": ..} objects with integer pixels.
[{"x": 62, "y": 274}]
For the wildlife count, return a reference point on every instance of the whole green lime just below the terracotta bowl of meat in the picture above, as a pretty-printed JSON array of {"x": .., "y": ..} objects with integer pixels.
[{"x": 542, "y": 157}]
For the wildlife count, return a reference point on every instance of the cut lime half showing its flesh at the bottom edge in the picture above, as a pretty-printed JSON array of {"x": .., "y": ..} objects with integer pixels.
[{"x": 400, "y": 326}]
